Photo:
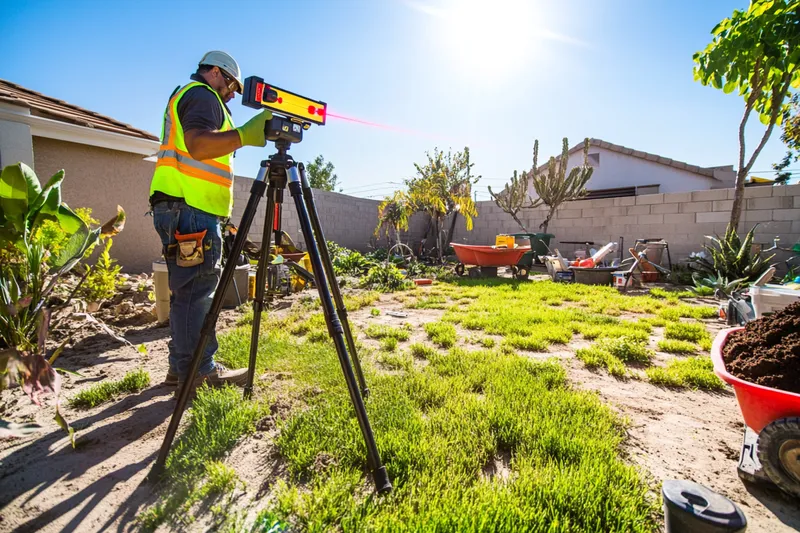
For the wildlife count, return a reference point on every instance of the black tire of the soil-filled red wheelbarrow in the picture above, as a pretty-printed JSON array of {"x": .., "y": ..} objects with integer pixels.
[{"x": 779, "y": 453}]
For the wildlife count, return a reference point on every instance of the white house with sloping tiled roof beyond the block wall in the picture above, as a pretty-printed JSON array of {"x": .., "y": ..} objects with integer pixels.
[{"x": 621, "y": 171}]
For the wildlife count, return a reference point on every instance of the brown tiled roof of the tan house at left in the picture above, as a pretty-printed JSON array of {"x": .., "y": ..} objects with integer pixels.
[{"x": 55, "y": 109}]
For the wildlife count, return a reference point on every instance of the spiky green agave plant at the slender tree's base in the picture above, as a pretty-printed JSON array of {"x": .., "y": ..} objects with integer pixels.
[{"x": 729, "y": 261}]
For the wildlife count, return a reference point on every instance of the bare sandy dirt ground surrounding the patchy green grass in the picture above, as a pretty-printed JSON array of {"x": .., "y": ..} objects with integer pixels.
[{"x": 47, "y": 486}]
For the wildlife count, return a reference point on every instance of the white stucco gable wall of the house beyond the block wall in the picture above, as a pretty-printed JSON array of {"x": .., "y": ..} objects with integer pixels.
[{"x": 620, "y": 170}]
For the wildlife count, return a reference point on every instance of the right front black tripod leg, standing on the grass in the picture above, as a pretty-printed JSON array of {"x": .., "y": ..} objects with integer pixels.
[{"x": 379, "y": 474}]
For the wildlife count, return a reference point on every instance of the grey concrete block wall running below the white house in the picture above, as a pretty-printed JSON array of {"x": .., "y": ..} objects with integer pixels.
[{"x": 683, "y": 219}]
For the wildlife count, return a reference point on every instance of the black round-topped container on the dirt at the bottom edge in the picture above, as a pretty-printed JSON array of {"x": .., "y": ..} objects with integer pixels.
[{"x": 692, "y": 508}]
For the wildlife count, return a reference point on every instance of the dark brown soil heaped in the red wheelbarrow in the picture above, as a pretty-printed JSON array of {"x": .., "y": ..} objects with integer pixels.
[{"x": 767, "y": 351}]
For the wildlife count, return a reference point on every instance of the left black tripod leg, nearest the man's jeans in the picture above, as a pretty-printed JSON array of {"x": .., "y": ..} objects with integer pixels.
[{"x": 210, "y": 322}]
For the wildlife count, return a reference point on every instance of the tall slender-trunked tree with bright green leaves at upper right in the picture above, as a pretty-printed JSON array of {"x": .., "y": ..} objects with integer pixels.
[{"x": 756, "y": 53}]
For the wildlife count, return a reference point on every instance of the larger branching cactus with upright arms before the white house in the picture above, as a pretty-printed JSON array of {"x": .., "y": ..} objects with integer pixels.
[{"x": 555, "y": 186}]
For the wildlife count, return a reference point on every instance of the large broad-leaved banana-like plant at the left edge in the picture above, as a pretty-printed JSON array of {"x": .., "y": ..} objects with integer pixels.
[{"x": 26, "y": 282}]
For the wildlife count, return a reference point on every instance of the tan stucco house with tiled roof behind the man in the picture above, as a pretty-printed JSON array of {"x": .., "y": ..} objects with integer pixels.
[{"x": 103, "y": 159}]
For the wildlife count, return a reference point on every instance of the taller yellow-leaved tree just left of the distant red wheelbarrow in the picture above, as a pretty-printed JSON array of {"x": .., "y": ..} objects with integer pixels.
[{"x": 443, "y": 186}]
